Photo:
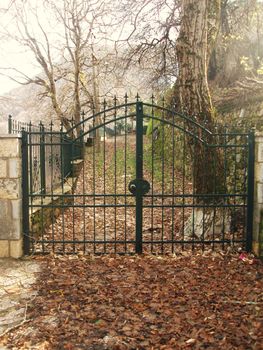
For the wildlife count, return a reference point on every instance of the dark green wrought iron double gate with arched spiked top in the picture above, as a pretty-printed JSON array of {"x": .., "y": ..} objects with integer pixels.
[{"x": 126, "y": 183}]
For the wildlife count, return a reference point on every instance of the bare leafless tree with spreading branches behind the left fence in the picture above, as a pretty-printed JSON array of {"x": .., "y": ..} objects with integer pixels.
[{"x": 62, "y": 60}]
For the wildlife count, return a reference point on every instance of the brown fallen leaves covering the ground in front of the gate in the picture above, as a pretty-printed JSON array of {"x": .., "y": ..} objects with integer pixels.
[{"x": 196, "y": 301}]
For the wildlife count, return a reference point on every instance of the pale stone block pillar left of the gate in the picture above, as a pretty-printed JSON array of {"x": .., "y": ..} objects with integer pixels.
[{"x": 11, "y": 237}]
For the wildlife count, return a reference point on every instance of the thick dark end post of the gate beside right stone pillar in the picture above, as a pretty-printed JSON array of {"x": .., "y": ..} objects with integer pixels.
[{"x": 250, "y": 189}]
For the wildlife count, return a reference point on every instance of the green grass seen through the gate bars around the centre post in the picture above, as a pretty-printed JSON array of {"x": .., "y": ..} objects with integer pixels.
[{"x": 158, "y": 159}]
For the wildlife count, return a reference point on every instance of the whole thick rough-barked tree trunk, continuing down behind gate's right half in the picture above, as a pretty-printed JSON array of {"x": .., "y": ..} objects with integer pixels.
[{"x": 193, "y": 51}]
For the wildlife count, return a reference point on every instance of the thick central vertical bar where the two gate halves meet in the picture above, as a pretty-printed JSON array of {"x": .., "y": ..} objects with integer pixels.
[{"x": 139, "y": 175}]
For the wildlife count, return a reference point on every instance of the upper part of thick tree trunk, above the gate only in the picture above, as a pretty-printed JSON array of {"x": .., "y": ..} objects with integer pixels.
[{"x": 192, "y": 54}]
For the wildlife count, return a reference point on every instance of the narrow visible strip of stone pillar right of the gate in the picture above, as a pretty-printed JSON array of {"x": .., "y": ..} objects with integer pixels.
[{"x": 258, "y": 197}]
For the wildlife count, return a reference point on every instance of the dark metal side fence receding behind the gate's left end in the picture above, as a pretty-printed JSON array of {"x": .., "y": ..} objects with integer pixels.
[{"x": 50, "y": 154}]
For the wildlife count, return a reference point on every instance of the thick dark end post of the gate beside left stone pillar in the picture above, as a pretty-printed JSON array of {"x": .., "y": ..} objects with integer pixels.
[{"x": 25, "y": 191}]
